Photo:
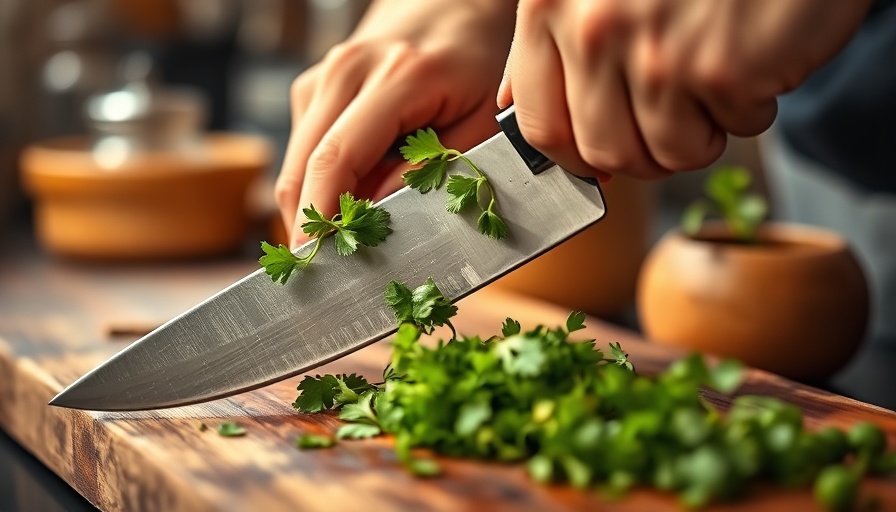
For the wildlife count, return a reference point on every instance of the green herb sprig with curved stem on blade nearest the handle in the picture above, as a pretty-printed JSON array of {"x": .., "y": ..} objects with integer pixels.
[{"x": 463, "y": 191}]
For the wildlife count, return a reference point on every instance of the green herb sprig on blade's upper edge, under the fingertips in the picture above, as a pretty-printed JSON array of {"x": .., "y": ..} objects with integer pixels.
[{"x": 357, "y": 223}]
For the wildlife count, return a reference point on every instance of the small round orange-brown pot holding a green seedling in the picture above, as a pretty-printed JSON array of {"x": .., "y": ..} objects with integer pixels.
[{"x": 795, "y": 303}]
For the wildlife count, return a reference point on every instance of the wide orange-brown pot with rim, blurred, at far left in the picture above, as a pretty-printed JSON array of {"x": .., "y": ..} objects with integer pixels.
[{"x": 154, "y": 205}]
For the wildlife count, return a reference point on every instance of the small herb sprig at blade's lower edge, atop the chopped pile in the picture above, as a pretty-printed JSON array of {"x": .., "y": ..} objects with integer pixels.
[{"x": 424, "y": 307}]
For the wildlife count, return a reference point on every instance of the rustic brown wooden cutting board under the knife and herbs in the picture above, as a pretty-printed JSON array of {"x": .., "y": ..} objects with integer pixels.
[{"x": 58, "y": 319}]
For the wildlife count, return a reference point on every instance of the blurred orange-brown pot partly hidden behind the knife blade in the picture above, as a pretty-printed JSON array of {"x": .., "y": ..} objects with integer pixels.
[{"x": 596, "y": 270}]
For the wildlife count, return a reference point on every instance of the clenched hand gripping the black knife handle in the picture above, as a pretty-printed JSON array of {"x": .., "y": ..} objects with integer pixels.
[{"x": 651, "y": 87}]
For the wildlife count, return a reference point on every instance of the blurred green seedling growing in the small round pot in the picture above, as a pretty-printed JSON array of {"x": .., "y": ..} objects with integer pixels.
[{"x": 726, "y": 189}]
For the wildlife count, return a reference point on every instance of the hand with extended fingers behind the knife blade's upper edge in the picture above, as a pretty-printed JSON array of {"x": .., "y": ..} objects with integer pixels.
[{"x": 408, "y": 65}]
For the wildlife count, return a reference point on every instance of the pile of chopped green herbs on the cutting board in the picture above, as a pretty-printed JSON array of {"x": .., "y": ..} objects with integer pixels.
[{"x": 575, "y": 413}]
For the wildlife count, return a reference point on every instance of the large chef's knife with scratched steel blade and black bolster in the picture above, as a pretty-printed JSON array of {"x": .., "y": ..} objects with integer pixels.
[{"x": 256, "y": 332}]
